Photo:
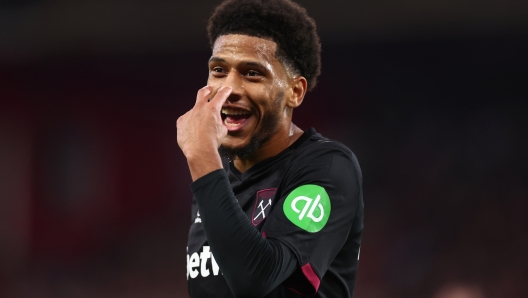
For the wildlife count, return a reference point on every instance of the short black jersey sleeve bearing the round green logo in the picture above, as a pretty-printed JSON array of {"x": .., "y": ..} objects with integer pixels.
[{"x": 319, "y": 199}]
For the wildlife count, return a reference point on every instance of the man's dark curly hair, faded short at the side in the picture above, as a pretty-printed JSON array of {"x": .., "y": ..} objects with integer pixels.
[{"x": 282, "y": 21}]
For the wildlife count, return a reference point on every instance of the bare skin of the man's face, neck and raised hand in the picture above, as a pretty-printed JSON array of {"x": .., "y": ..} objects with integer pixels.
[{"x": 244, "y": 75}]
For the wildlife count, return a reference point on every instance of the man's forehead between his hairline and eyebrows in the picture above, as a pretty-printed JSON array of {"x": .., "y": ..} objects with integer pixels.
[{"x": 244, "y": 47}]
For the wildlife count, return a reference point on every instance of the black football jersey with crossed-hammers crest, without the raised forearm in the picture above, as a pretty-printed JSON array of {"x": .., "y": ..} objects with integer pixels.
[{"x": 310, "y": 198}]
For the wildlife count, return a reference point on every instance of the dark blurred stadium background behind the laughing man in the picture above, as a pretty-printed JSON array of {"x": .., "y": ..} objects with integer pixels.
[{"x": 432, "y": 98}]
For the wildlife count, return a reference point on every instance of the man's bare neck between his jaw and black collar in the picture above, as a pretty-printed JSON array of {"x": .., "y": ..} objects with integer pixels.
[{"x": 275, "y": 145}]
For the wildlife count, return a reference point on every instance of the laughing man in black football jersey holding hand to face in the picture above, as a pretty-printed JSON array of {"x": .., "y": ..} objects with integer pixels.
[{"x": 281, "y": 214}]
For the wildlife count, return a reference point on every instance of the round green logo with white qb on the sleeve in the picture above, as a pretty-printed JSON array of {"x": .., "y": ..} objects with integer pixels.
[{"x": 308, "y": 207}]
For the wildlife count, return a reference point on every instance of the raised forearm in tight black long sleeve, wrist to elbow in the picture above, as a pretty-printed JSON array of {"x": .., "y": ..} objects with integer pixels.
[{"x": 251, "y": 264}]
